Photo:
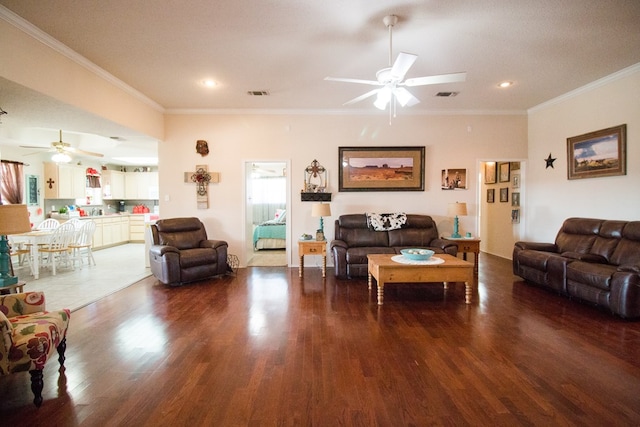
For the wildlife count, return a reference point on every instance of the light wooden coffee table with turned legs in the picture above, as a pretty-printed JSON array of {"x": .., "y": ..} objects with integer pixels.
[{"x": 385, "y": 270}]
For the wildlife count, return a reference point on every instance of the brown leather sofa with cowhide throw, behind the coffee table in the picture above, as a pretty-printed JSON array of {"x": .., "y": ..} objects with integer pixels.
[{"x": 354, "y": 240}]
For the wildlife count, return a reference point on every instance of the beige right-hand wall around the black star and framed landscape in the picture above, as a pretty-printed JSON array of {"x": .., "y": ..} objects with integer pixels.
[{"x": 551, "y": 197}]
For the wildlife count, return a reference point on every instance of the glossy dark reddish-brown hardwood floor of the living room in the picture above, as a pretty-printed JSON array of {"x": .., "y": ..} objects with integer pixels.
[{"x": 266, "y": 348}]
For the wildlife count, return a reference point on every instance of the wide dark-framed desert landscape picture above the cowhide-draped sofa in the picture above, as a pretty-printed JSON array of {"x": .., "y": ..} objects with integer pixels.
[{"x": 381, "y": 168}]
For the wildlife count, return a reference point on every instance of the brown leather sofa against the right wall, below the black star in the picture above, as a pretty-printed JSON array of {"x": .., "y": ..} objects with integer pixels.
[{"x": 594, "y": 260}]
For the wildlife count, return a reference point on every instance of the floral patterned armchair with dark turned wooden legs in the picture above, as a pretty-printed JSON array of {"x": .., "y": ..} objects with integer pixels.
[{"x": 30, "y": 336}]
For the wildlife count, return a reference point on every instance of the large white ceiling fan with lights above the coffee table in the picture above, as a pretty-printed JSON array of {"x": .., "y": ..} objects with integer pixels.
[{"x": 391, "y": 79}]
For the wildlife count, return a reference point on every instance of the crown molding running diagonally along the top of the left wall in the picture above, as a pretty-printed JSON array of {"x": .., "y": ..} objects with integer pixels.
[{"x": 44, "y": 38}]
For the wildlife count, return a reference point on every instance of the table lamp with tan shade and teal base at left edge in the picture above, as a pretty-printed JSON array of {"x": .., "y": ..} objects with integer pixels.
[{"x": 14, "y": 219}]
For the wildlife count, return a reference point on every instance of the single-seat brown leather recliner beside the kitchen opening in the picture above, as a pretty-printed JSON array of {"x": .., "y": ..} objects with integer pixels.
[{"x": 181, "y": 253}]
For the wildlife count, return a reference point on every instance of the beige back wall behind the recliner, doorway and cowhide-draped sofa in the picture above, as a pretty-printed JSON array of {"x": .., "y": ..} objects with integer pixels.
[{"x": 450, "y": 141}]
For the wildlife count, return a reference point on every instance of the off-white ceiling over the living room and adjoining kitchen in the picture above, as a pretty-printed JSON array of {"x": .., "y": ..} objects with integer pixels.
[{"x": 165, "y": 49}]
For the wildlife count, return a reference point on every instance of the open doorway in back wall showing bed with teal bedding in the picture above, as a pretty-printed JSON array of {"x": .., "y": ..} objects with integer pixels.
[{"x": 267, "y": 213}]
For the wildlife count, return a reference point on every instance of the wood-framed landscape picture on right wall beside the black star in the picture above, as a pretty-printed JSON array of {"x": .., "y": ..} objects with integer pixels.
[{"x": 598, "y": 154}]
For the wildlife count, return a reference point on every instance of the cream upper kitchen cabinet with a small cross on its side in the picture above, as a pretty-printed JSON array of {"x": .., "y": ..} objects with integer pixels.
[{"x": 63, "y": 181}]
